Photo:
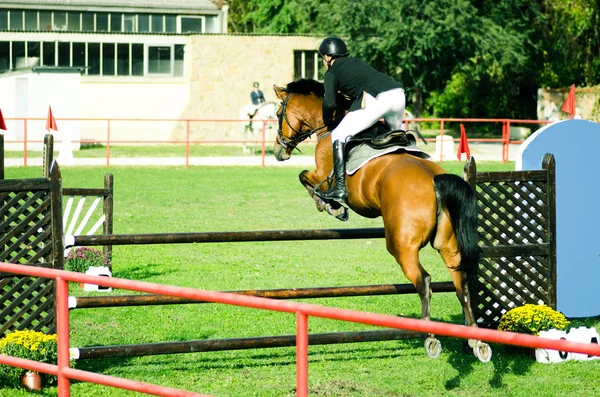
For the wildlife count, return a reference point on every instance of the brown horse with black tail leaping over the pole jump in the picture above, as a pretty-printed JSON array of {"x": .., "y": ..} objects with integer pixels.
[{"x": 419, "y": 202}]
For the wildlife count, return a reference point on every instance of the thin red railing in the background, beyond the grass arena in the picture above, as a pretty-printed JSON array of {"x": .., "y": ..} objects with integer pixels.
[{"x": 109, "y": 141}]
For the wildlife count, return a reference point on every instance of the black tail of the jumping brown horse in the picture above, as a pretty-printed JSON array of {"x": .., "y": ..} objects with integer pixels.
[{"x": 456, "y": 196}]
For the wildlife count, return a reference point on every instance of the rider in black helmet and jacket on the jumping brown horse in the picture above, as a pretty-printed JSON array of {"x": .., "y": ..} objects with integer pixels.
[{"x": 374, "y": 95}]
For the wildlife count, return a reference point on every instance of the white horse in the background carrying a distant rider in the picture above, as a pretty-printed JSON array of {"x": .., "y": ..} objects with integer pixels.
[{"x": 253, "y": 118}]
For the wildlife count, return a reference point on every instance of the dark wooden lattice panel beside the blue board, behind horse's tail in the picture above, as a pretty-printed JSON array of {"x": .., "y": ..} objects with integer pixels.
[{"x": 517, "y": 231}]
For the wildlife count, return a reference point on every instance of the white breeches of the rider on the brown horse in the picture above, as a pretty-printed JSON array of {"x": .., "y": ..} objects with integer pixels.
[{"x": 388, "y": 105}]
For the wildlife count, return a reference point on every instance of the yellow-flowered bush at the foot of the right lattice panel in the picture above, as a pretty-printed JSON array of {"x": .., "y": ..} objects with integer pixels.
[{"x": 531, "y": 319}]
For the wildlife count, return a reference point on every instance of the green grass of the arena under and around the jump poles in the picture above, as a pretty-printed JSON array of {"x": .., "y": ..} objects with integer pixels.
[{"x": 175, "y": 199}]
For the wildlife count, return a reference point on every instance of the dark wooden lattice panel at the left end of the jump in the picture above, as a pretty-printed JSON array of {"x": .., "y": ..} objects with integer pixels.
[{"x": 30, "y": 220}]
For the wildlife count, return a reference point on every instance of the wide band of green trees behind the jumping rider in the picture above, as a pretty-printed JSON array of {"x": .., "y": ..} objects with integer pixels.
[{"x": 489, "y": 57}]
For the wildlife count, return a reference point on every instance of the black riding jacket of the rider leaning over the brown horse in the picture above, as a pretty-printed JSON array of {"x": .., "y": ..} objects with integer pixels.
[{"x": 352, "y": 77}]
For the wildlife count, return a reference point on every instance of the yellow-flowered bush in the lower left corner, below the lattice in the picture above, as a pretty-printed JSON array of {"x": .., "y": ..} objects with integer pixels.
[{"x": 31, "y": 345}]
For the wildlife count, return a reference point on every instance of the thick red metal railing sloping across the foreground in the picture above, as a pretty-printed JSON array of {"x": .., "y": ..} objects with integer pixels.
[{"x": 301, "y": 310}]
